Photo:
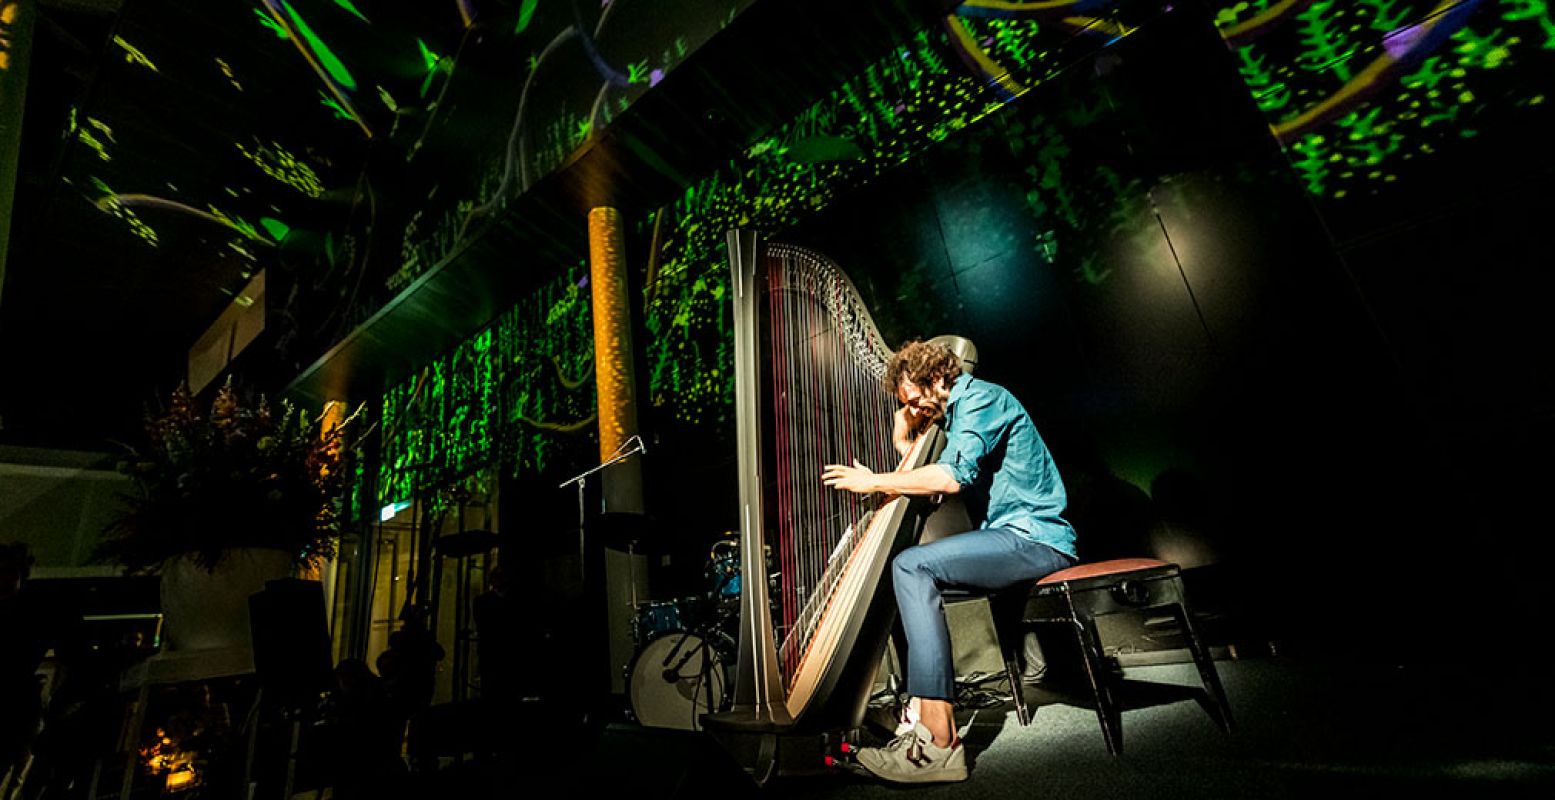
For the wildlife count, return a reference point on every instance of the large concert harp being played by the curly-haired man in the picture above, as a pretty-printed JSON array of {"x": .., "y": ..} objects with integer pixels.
[{"x": 809, "y": 368}]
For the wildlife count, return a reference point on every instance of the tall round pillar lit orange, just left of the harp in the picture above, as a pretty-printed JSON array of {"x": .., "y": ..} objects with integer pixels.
[{"x": 626, "y": 577}]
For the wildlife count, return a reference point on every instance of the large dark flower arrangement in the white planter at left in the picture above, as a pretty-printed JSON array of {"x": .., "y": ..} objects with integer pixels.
[{"x": 239, "y": 477}]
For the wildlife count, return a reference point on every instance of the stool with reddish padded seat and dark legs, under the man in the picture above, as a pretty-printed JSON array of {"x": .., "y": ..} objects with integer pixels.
[{"x": 1083, "y": 594}]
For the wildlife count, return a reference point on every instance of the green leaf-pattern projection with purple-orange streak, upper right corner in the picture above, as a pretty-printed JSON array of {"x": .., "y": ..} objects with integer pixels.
[{"x": 1360, "y": 91}]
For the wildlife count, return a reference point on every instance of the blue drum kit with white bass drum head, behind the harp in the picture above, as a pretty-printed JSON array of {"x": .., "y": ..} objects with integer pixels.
[{"x": 687, "y": 648}]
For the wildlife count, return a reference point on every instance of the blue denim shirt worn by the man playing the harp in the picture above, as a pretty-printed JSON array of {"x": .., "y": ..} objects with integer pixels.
[{"x": 1007, "y": 474}]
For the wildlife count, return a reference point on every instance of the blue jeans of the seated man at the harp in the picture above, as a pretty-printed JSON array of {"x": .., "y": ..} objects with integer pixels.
[{"x": 988, "y": 560}]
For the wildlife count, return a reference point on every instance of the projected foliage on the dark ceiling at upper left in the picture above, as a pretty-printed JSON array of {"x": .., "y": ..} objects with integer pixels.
[{"x": 351, "y": 147}]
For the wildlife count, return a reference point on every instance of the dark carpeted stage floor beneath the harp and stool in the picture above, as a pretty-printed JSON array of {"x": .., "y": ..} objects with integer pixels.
[{"x": 1304, "y": 729}]
